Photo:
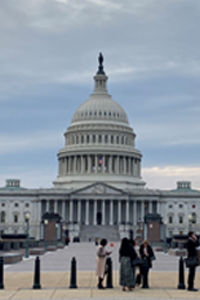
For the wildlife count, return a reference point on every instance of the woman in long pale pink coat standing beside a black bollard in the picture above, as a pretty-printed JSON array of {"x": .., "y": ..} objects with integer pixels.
[{"x": 101, "y": 262}]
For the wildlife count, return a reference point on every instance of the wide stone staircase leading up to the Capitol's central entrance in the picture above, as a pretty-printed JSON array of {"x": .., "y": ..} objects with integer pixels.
[{"x": 90, "y": 232}]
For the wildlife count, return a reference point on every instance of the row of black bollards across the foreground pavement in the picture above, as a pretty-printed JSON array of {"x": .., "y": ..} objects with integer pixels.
[{"x": 73, "y": 285}]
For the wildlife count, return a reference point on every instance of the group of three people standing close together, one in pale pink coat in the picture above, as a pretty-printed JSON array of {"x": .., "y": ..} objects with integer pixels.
[{"x": 130, "y": 258}]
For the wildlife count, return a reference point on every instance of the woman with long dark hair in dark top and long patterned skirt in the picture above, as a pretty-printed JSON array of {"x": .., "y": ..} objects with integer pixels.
[{"x": 127, "y": 255}]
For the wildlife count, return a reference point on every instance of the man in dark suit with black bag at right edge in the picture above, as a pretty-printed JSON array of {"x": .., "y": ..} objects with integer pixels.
[{"x": 192, "y": 243}]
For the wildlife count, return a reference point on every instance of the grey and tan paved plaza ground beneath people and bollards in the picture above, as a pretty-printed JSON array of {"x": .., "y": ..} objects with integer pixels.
[{"x": 55, "y": 277}]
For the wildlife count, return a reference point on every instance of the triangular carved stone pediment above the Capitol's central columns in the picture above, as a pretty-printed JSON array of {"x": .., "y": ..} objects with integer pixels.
[{"x": 99, "y": 189}]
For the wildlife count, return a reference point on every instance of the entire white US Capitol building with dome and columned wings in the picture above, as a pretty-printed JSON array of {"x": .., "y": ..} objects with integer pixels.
[{"x": 99, "y": 190}]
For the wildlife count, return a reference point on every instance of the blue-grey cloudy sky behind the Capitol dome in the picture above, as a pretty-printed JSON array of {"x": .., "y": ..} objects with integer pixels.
[{"x": 48, "y": 56}]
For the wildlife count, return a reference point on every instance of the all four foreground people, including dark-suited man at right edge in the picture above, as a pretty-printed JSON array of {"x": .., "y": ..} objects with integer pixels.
[{"x": 132, "y": 258}]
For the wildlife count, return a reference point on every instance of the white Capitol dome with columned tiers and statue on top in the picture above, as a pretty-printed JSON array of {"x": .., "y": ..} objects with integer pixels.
[{"x": 99, "y": 143}]
